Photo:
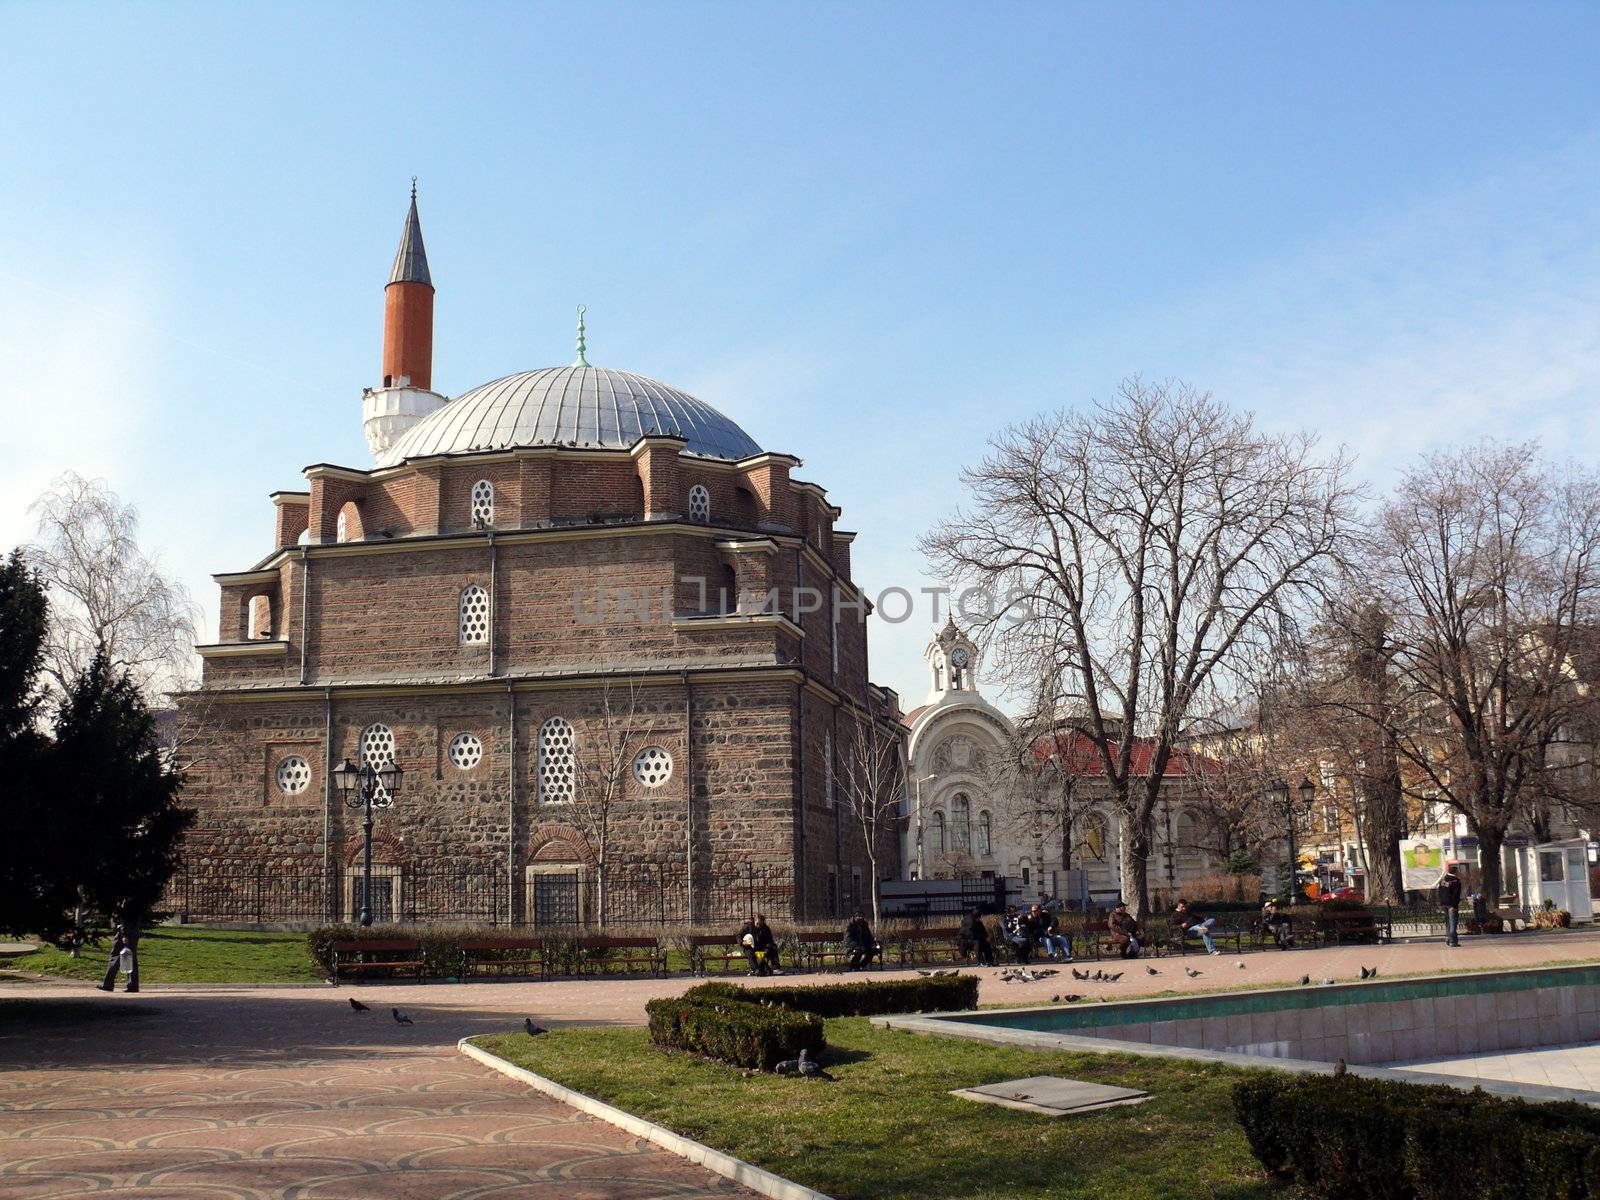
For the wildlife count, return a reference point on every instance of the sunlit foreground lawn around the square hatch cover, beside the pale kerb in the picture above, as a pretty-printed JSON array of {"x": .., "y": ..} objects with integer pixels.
[{"x": 889, "y": 1127}]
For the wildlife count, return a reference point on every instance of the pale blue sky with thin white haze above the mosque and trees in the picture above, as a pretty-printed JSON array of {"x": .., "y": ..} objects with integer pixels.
[{"x": 870, "y": 234}]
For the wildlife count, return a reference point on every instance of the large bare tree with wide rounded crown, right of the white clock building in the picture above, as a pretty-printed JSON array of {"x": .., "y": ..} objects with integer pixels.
[{"x": 1142, "y": 548}]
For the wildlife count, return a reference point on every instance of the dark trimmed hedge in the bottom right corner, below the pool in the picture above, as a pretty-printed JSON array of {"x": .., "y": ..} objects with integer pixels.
[{"x": 1409, "y": 1142}]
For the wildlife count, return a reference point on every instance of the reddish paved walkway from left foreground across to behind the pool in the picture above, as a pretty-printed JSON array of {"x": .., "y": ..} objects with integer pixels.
[{"x": 286, "y": 1092}]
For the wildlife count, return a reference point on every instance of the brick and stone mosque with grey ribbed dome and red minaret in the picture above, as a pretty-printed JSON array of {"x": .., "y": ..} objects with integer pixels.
[{"x": 604, "y": 634}]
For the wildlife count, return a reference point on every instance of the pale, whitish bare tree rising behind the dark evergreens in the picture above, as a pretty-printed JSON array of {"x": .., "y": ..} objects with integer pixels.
[{"x": 105, "y": 594}]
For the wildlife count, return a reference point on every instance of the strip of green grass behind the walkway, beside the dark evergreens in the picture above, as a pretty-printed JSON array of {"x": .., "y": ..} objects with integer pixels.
[{"x": 183, "y": 954}]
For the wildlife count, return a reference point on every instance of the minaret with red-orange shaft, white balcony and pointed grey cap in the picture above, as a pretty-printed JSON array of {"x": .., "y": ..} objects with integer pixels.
[{"x": 406, "y": 396}]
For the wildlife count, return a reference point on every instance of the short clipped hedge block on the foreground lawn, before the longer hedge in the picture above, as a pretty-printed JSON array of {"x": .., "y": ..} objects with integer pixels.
[{"x": 734, "y": 1030}]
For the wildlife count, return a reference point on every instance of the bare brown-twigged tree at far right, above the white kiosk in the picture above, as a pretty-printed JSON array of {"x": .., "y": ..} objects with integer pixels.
[{"x": 1489, "y": 566}]
